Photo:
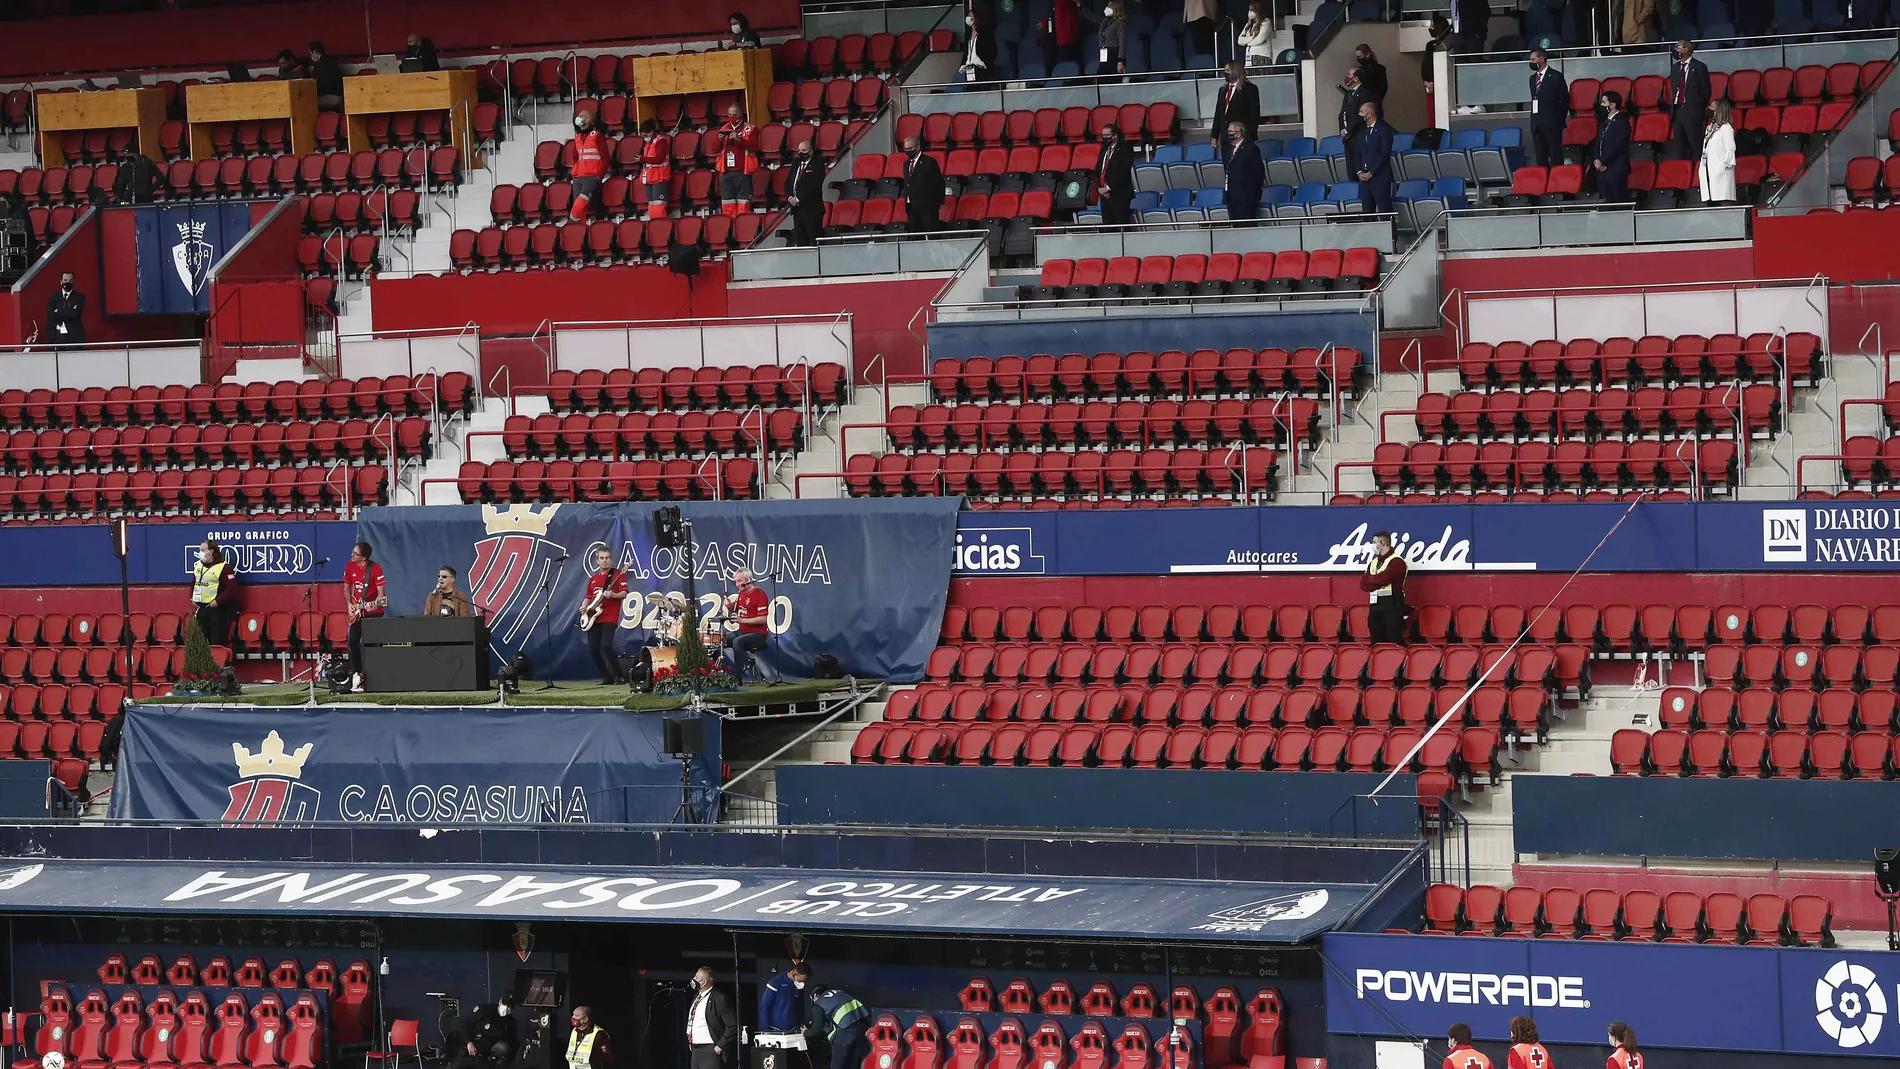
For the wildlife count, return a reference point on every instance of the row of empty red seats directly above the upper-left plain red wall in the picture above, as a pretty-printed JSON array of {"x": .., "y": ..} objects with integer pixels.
[{"x": 601, "y": 244}]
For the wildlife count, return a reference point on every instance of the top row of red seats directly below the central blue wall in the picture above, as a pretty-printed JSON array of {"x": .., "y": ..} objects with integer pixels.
[{"x": 1141, "y": 375}]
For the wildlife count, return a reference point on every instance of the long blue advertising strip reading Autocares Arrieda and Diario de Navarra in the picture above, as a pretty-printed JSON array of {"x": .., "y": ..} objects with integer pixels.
[{"x": 1743, "y": 536}]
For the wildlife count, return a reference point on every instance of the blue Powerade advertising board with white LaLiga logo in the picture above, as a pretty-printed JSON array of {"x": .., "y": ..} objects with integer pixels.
[{"x": 1757, "y": 1000}]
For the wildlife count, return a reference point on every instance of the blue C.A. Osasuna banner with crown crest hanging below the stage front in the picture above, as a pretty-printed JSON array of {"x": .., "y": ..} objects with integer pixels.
[{"x": 257, "y": 766}]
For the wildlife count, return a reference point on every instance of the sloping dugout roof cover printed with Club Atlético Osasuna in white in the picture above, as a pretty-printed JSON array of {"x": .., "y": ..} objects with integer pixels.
[{"x": 731, "y": 897}]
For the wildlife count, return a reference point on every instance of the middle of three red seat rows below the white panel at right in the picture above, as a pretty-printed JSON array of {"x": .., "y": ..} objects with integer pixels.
[{"x": 1688, "y": 411}]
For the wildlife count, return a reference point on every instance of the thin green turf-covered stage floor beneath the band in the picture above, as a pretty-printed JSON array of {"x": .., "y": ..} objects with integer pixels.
[{"x": 563, "y": 694}]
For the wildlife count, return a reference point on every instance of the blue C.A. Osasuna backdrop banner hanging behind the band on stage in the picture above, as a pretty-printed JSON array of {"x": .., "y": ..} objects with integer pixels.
[{"x": 860, "y": 580}]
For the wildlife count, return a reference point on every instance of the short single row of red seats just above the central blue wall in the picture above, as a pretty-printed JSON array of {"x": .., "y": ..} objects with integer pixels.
[{"x": 1194, "y": 274}]
